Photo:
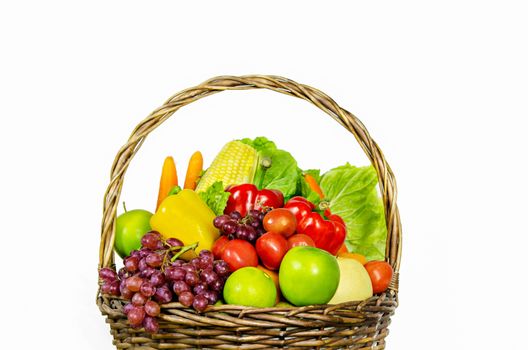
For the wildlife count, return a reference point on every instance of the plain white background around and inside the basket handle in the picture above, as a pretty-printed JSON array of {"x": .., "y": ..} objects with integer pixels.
[{"x": 442, "y": 87}]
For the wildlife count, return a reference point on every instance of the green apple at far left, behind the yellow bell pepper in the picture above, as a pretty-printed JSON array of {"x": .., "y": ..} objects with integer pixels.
[{"x": 130, "y": 228}]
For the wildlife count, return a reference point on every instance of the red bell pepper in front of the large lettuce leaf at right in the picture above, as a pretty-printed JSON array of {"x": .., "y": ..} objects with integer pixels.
[{"x": 327, "y": 234}]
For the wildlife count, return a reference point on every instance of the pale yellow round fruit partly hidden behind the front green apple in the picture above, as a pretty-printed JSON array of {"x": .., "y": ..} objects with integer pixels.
[{"x": 354, "y": 283}]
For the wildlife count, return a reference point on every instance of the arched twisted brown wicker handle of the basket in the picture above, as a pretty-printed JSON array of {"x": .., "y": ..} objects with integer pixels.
[{"x": 350, "y": 122}]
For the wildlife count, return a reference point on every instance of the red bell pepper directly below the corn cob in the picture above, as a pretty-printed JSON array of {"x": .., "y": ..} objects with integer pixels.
[{"x": 246, "y": 197}]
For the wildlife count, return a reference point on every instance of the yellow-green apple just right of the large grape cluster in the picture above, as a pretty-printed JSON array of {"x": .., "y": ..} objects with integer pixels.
[{"x": 250, "y": 286}]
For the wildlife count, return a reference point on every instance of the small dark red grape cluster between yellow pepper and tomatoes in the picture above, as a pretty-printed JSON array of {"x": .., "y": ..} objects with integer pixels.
[{"x": 248, "y": 228}]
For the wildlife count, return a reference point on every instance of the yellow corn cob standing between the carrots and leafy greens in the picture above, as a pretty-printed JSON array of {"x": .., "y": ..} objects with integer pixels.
[{"x": 235, "y": 164}]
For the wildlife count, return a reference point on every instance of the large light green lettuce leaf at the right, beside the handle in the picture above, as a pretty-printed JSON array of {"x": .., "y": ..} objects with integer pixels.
[{"x": 352, "y": 194}]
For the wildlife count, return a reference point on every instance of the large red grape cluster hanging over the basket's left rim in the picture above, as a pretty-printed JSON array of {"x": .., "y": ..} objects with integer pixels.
[{"x": 154, "y": 275}]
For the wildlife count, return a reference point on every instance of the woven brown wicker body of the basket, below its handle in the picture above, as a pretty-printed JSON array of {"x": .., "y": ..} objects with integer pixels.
[{"x": 354, "y": 325}]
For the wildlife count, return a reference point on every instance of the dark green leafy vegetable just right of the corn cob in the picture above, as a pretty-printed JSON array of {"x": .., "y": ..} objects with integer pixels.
[{"x": 277, "y": 169}]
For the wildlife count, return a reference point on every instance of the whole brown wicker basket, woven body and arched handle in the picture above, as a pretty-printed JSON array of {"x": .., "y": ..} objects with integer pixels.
[{"x": 352, "y": 325}]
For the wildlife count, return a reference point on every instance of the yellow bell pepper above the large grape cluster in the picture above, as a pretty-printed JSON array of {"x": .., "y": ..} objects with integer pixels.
[{"x": 186, "y": 216}]
